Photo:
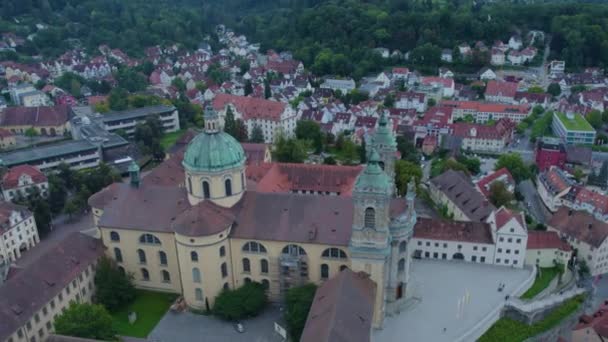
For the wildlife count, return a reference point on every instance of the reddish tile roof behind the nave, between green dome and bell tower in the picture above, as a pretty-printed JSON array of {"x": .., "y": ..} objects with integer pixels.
[{"x": 284, "y": 177}]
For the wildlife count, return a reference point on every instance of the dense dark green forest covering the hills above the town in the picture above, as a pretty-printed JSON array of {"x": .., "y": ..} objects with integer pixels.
[{"x": 331, "y": 36}]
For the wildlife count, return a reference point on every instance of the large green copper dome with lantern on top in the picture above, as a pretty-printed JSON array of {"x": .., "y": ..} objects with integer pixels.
[{"x": 213, "y": 150}]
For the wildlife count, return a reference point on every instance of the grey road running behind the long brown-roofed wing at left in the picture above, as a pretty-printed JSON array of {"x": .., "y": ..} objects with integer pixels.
[{"x": 62, "y": 228}]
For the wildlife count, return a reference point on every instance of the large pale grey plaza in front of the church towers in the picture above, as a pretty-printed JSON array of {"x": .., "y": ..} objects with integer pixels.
[{"x": 439, "y": 285}]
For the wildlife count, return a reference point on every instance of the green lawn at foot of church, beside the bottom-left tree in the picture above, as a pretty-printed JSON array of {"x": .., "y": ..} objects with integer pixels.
[{"x": 150, "y": 308}]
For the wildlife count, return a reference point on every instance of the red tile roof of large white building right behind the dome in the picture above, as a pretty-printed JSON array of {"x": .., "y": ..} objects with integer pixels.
[{"x": 251, "y": 107}]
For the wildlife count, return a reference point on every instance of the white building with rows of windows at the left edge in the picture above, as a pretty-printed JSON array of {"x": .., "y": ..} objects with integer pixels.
[{"x": 18, "y": 231}]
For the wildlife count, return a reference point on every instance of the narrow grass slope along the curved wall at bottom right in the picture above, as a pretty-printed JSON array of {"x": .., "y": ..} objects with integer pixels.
[{"x": 508, "y": 330}]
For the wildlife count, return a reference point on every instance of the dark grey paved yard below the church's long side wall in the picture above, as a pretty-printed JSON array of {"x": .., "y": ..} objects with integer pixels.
[{"x": 189, "y": 327}]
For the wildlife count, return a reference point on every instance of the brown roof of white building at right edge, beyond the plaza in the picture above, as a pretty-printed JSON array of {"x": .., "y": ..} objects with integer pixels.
[{"x": 580, "y": 225}]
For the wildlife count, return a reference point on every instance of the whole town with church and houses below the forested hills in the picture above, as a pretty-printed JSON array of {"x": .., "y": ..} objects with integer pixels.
[{"x": 417, "y": 206}]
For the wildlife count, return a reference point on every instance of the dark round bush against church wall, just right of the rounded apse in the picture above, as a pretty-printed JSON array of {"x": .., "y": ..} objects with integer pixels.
[{"x": 246, "y": 301}]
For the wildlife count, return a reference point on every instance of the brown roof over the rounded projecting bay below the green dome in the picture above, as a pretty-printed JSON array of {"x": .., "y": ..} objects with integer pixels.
[{"x": 203, "y": 219}]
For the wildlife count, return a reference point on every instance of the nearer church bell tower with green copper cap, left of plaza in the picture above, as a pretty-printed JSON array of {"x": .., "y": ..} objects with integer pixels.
[{"x": 371, "y": 238}]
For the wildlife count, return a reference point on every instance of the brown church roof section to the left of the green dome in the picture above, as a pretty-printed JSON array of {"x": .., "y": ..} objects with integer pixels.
[{"x": 151, "y": 208}]
